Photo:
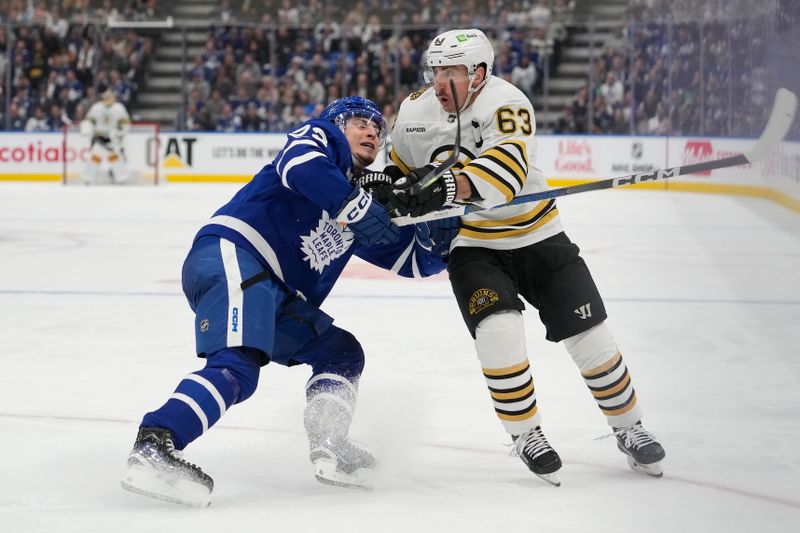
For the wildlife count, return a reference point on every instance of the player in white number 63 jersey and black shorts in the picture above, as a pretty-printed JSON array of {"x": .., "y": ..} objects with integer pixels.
[{"x": 515, "y": 251}]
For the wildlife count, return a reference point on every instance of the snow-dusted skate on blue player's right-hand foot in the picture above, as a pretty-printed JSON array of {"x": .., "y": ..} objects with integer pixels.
[{"x": 340, "y": 462}]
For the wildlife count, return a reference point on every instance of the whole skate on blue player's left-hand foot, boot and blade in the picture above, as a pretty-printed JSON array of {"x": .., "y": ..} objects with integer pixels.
[{"x": 156, "y": 469}]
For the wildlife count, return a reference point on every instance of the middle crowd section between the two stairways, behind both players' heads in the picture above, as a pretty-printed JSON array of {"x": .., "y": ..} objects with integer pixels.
[{"x": 256, "y": 79}]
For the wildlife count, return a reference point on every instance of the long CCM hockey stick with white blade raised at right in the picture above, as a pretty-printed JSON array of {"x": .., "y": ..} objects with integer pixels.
[{"x": 780, "y": 120}]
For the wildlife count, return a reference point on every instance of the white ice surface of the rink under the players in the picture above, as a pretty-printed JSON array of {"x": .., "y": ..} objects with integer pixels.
[{"x": 703, "y": 297}]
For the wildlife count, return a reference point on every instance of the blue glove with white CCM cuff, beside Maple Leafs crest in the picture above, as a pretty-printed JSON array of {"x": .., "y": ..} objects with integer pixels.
[{"x": 367, "y": 219}]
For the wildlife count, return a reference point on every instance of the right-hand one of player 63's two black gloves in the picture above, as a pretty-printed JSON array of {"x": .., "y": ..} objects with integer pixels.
[{"x": 438, "y": 194}]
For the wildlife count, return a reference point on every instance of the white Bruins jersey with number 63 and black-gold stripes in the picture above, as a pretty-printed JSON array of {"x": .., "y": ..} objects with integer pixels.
[{"x": 498, "y": 154}]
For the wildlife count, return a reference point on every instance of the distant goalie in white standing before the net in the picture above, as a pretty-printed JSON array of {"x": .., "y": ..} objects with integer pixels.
[{"x": 107, "y": 123}]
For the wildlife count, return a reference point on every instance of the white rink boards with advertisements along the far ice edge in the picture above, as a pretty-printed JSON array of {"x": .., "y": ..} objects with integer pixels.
[{"x": 202, "y": 156}]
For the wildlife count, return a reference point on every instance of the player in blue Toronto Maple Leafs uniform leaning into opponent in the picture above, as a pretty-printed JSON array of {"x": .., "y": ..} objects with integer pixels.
[{"x": 255, "y": 277}]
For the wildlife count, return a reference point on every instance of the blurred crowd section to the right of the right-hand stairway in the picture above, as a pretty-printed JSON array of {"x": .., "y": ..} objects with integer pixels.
[{"x": 680, "y": 67}]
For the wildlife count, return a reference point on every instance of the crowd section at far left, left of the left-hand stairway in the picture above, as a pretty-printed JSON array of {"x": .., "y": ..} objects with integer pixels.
[{"x": 60, "y": 60}]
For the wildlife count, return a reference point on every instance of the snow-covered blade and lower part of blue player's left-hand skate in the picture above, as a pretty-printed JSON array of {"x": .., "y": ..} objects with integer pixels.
[{"x": 149, "y": 482}]
